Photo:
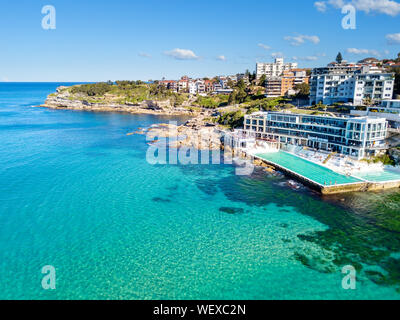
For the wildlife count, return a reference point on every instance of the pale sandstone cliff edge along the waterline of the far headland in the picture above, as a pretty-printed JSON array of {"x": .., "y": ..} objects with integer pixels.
[{"x": 62, "y": 99}]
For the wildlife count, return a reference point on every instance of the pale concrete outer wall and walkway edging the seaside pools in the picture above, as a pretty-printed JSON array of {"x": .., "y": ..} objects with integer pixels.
[{"x": 362, "y": 185}]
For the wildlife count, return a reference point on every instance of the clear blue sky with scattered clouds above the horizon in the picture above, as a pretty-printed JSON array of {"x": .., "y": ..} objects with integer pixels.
[{"x": 127, "y": 39}]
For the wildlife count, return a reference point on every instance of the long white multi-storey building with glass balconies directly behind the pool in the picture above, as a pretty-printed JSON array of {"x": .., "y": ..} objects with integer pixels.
[{"x": 357, "y": 137}]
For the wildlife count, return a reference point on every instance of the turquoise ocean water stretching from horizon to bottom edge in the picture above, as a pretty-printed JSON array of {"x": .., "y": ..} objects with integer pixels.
[{"x": 77, "y": 193}]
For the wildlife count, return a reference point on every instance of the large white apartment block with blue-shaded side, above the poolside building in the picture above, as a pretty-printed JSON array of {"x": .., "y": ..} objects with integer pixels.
[{"x": 350, "y": 83}]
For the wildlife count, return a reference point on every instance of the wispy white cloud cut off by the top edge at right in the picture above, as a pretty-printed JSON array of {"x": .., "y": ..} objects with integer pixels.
[{"x": 389, "y": 7}]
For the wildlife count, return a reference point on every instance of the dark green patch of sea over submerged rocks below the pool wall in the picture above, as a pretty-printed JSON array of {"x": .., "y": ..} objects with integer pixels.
[{"x": 363, "y": 228}]
